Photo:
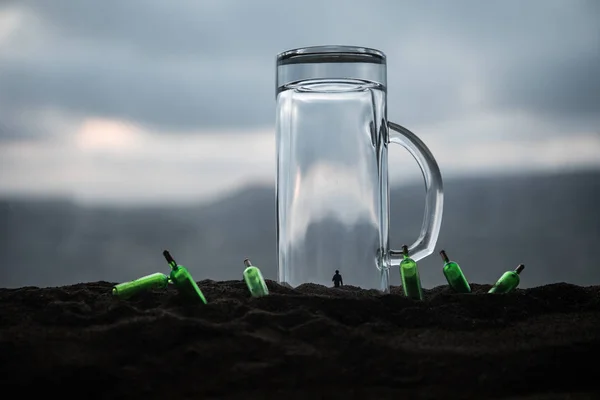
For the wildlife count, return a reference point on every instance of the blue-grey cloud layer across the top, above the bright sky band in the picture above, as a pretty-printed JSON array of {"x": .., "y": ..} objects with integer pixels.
[{"x": 189, "y": 64}]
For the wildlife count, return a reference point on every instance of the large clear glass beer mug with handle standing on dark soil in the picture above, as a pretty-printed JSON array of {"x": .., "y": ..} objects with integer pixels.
[{"x": 332, "y": 169}]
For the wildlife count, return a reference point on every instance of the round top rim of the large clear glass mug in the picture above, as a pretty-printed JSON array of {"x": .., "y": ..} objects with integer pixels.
[{"x": 331, "y": 53}]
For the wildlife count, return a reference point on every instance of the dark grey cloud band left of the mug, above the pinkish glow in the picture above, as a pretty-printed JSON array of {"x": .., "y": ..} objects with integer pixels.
[{"x": 155, "y": 95}]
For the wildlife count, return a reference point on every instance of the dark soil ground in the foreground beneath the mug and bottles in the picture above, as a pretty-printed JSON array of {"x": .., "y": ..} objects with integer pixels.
[{"x": 306, "y": 343}]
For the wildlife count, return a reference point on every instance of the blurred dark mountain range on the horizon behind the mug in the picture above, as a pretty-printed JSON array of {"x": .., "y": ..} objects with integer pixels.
[{"x": 551, "y": 223}]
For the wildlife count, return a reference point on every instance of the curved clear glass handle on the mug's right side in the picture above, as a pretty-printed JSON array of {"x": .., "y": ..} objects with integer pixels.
[{"x": 434, "y": 194}]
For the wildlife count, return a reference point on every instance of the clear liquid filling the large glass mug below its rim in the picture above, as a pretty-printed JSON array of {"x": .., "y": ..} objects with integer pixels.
[{"x": 339, "y": 160}]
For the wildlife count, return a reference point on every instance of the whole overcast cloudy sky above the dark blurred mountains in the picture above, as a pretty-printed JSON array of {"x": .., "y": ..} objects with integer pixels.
[{"x": 127, "y": 101}]
